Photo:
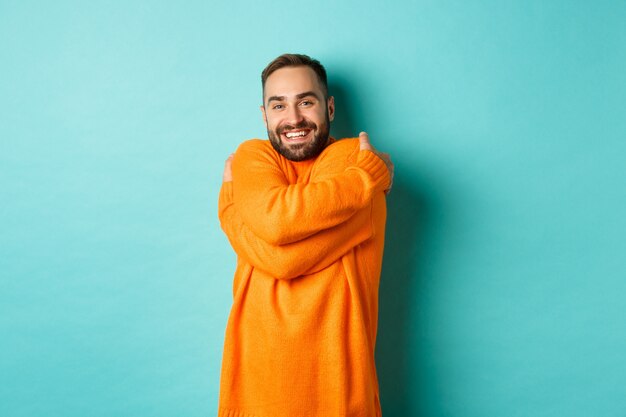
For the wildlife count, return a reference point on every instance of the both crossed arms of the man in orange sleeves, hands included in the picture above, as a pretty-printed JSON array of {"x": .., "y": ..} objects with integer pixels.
[{"x": 289, "y": 230}]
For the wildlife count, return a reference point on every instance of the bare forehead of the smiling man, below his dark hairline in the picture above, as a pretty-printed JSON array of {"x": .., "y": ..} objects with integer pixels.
[{"x": 290, "y": 81}]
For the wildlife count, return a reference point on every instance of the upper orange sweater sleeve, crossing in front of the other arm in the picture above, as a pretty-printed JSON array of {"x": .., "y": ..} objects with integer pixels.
[{"x": 279, "y": 212}]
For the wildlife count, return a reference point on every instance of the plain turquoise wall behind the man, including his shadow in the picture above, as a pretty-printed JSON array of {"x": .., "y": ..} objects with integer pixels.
[{"x": 505, "y": 270}]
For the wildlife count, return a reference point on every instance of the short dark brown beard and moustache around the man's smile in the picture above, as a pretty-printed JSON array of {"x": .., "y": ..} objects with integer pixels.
[{"x": 301, "y": 151}]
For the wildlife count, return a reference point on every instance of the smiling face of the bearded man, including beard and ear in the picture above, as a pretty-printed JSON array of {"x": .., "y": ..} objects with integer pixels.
[{"x": 296, "y": 114}]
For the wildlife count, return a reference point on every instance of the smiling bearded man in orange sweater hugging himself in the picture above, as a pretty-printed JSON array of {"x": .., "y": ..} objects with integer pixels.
[{"x": 306, "y": 216}]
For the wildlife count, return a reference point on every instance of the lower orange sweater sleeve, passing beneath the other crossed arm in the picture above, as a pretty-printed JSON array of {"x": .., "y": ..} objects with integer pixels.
[{"x": 303, "y": 257}]
